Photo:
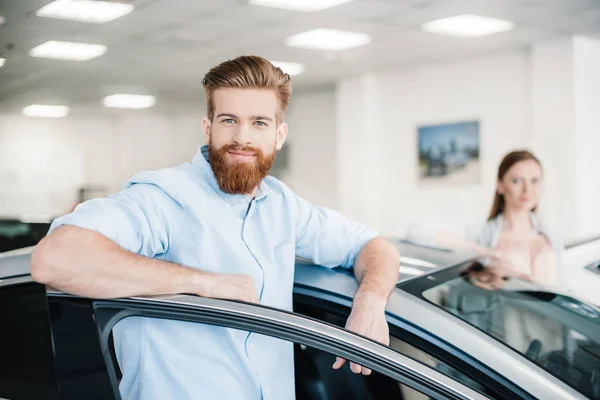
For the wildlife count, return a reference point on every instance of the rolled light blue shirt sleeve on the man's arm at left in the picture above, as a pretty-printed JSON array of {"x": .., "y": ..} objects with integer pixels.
[{"x": 140, "y": 218}]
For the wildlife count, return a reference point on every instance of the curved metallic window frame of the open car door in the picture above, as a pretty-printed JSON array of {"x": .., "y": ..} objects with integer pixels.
[{"x": 279, "y": 324}]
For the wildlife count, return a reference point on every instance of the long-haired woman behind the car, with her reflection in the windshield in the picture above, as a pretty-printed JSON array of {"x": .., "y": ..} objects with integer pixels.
[{"x": 512, "y": 243}]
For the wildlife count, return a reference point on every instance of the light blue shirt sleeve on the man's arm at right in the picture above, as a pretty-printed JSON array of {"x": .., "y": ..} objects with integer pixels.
[{"x": 327, "y": 238}]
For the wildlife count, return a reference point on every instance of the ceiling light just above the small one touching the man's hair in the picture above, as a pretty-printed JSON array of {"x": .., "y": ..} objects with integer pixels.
[{"x": 327, "y": 40}]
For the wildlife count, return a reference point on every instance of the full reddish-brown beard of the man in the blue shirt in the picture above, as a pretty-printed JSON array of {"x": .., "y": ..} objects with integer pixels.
[{"x": 239, "y": 177}]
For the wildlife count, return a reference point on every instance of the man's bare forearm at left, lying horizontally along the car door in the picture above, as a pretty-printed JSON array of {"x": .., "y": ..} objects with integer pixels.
[{"x": 86, "y": 263}]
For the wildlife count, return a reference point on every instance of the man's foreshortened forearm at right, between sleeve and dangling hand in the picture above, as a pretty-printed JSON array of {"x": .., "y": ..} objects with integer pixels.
[{"x": 376, "y": 270}]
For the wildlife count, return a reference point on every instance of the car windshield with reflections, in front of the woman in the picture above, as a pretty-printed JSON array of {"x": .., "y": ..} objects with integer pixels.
[{"x": 557, "y": 332}]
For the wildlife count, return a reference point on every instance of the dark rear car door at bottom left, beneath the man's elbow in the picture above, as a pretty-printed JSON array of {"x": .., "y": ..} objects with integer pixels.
[{"x": 49, "y": 348}]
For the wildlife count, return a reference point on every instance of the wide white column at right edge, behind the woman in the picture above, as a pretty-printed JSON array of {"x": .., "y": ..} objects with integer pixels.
[{"x": 566, "y": 132}]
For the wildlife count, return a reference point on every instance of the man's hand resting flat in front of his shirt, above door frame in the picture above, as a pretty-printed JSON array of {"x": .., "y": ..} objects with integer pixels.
[{"x": 228, "y": 287}]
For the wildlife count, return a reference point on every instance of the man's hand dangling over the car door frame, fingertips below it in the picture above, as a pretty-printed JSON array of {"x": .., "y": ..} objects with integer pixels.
[{"x": 368, "y": 319}]
